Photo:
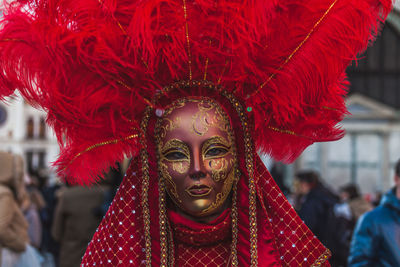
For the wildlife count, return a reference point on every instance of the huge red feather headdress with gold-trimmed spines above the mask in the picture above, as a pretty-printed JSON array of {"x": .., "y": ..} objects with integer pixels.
[{"x": 94, "y": 65}]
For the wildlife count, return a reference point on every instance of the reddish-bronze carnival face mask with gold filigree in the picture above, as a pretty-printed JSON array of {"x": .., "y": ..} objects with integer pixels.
[{"x": 197, "y": 156}]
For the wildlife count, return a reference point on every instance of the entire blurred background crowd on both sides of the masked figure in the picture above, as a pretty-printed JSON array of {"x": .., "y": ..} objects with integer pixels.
[{"x": 50, "y": 224}]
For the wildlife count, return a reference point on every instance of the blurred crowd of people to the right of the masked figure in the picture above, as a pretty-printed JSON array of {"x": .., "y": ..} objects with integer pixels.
[{"x": 358, "y": 232}]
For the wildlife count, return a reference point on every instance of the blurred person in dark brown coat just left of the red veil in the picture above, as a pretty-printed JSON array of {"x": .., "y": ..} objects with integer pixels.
[{"x": 75, "y": 221}]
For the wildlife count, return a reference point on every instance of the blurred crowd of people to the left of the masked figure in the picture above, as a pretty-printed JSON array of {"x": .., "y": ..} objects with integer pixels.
[{"x": 47, "y": 224}]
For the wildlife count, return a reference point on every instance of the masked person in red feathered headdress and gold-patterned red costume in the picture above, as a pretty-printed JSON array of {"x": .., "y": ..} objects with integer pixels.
[{"x": 191, "y": 90}]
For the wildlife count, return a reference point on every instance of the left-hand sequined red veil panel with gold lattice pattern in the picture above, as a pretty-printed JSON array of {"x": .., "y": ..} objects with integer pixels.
[{"x": 118, "y": 241}]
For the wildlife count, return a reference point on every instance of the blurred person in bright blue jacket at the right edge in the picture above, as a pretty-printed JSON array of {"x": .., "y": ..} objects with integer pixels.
[{"x": 376, "y": 238}]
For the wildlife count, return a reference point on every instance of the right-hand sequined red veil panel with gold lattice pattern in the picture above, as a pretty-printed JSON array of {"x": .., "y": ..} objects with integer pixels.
[{"x": 298, "y": 246}]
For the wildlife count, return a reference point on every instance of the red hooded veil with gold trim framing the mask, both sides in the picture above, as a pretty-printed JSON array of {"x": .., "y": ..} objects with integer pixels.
[{"x": 132, "y": 228}]
